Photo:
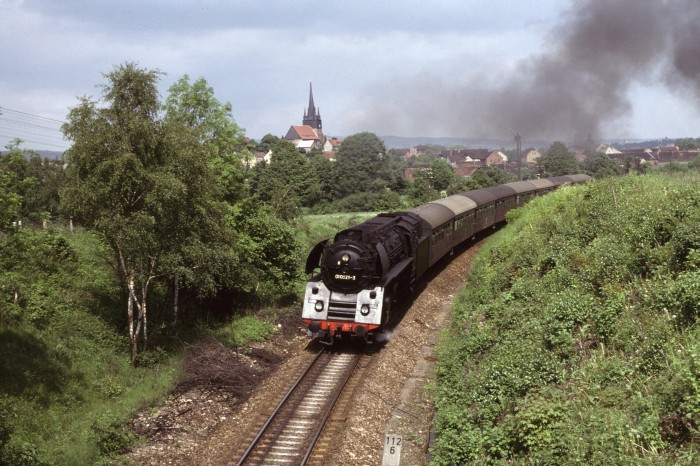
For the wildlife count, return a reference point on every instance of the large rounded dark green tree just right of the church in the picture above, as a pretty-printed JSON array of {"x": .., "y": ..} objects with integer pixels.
[{"x": 361, "y": 165}]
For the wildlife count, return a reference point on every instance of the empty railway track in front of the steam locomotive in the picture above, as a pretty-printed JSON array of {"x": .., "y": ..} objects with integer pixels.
[{"x": 291, "y": 431}]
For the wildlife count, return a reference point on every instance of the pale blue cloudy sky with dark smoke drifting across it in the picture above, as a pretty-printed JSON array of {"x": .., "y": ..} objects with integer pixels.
[{"x": 550, "y": 69}]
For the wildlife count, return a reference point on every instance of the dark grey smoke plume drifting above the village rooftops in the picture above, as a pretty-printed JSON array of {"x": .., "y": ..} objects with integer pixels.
[{"x": 579, "y": 86}]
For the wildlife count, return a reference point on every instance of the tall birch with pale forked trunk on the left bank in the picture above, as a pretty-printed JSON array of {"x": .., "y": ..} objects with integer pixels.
[{"x": 144, "y": 183}]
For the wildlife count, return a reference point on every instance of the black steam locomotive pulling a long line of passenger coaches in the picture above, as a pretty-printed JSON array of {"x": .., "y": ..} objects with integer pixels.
[{"x": 357, "y": 278}]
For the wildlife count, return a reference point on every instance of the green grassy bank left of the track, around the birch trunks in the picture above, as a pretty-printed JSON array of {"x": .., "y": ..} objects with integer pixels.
[{"x": 67, "y": 390}]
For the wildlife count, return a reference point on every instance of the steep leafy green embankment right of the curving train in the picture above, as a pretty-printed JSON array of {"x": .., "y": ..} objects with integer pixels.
[{"x": 576, "y": 338}]
